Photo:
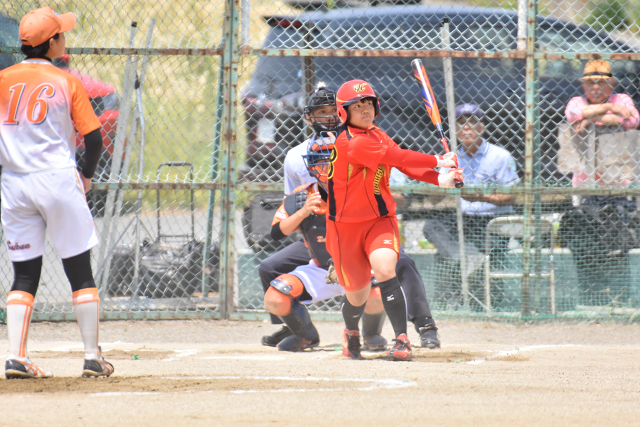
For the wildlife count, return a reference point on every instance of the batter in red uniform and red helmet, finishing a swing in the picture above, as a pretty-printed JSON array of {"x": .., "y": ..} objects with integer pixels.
[{"x": 362, "y": 228}]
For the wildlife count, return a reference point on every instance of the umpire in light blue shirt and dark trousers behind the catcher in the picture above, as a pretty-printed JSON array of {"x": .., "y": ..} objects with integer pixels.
[{"x": 296, "y": 254}]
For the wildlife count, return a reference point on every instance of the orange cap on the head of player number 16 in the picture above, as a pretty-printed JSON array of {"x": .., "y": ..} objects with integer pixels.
[{"x": 40, "y": 25}]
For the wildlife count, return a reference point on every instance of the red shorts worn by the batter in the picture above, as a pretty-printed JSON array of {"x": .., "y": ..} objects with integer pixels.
[{"x": 351, "y": 244}]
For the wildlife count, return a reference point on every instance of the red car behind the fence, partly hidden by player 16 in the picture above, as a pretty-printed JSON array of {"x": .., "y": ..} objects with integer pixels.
[{"x": 104, "y": 100}]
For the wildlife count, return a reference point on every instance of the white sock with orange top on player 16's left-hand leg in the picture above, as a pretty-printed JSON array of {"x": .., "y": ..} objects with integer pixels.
[{"x": 19, "y": 309}]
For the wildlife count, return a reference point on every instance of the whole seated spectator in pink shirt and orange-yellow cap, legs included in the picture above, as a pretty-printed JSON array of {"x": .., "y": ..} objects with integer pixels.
[{"x": 602, "y": 229}]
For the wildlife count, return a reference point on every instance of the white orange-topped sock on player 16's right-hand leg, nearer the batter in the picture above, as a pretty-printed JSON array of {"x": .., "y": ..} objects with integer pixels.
[{"x": 86, "y": 306}]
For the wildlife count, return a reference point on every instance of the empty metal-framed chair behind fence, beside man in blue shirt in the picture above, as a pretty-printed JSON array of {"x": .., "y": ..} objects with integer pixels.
[{"x": 513, "y": 226}]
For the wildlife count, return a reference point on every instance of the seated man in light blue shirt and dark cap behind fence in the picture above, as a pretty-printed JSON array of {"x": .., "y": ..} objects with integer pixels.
[{"x": 485, "y": 165}]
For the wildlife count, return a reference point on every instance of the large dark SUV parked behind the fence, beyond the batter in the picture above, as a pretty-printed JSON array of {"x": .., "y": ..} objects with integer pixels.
[{"x": 273, "y": 98}]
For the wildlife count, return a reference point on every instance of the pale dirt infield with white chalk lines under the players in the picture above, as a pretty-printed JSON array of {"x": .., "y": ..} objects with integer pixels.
[{"x": 216, "y": 373}]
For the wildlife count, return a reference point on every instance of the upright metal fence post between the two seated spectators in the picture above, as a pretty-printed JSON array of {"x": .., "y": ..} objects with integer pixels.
[{"x": 531, "y": 104}]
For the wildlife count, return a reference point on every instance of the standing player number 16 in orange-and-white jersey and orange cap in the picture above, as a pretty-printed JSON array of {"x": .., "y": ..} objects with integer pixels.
[{"x": 41, "y": 187}]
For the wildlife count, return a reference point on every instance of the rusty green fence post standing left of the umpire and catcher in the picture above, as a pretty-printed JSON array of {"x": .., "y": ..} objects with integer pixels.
[{"x": 229, "y": 132}]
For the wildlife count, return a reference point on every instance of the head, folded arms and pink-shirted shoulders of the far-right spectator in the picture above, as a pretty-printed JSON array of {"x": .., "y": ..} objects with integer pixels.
[{"x": 599, "y": 105}]
